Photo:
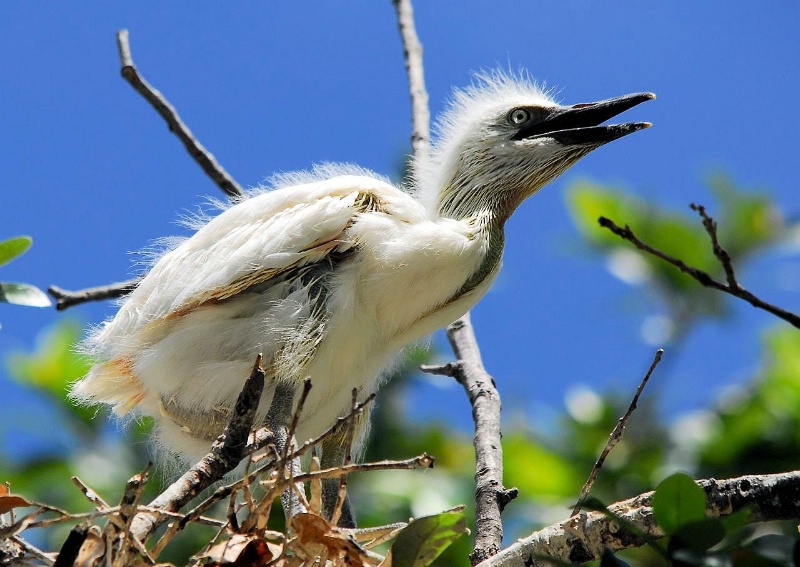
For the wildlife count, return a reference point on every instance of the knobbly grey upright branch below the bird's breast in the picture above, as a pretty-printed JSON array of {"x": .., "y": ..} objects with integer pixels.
[{"x": 490, "y": 494}]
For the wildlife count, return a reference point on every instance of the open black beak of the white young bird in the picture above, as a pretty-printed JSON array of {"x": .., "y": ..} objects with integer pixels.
[{"x": 580, "y": 124}]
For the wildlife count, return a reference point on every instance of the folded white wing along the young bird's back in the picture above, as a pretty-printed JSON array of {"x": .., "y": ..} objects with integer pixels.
[{"x": 247, "y": 245}]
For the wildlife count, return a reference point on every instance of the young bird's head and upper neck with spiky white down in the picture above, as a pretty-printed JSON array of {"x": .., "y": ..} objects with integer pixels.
[{"x": 503, "y": 138}]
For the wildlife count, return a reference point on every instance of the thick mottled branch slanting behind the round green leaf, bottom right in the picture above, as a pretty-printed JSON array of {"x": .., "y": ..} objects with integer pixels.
[{"x": 582, "y": 538}]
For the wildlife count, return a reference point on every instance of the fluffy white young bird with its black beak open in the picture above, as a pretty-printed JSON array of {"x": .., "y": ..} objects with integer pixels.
[{"x": 331, "y": 273}]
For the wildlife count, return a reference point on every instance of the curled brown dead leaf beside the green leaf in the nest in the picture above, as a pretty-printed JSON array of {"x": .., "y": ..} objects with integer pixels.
[{"x": 316, "y": 536}]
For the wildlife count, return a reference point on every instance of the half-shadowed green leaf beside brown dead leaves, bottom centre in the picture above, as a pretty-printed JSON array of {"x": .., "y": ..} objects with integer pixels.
[{"x": 424, "y": 539}]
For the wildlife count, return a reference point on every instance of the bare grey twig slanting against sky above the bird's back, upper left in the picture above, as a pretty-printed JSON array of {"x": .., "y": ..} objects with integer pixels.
[{"x": 202, "y": 156}]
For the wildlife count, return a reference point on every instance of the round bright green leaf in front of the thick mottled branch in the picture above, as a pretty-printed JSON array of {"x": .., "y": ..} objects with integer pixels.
[{"x": 678, "y": 500}]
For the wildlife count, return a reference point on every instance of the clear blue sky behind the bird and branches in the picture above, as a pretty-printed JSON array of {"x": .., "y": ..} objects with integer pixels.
[{"x": 90, "y": 171}]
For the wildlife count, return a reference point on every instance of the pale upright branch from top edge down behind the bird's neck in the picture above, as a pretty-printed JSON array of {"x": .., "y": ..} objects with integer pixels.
[{"x": 412, "y": 51}]
